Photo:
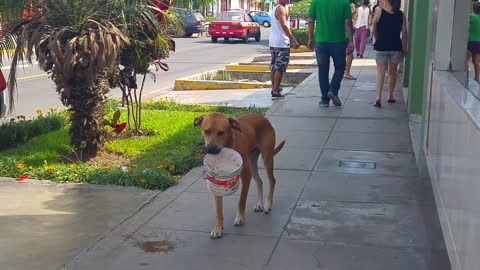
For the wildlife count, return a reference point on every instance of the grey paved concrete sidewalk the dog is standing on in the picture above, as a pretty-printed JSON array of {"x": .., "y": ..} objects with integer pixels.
[{"x": 348, "y": 197}]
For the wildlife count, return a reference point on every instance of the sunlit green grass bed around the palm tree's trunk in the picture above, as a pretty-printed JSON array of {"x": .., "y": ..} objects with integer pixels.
[{"x": 171, "y": 150}]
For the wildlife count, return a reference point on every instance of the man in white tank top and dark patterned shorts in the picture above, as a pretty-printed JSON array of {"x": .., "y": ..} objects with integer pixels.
[{"x": 281, "y": 38}]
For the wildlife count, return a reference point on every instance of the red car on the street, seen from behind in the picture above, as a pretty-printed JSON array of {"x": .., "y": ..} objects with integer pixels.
[{"x": 234, "y": 24}]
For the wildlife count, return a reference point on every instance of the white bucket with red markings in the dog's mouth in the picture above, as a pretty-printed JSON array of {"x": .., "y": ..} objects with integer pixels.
[{"x": 222, "y": 172}]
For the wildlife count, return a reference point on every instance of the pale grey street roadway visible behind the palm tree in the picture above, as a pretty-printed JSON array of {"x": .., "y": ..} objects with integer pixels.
[{"x": 193, "y": 55}]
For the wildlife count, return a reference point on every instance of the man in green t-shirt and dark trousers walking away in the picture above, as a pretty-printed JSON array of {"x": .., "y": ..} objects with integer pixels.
[{"x": 333, "y": 18}]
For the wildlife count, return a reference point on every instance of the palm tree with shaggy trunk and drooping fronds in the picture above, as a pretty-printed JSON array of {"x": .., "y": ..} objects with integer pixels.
[{"x": 80, "y": 43}]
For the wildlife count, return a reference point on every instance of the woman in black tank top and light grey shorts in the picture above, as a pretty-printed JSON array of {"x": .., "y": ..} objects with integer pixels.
[{"x": 390, "y": 30}]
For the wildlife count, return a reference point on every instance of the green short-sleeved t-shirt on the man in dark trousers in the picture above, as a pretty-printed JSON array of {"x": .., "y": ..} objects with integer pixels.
[{"x": 330, "y": 16}]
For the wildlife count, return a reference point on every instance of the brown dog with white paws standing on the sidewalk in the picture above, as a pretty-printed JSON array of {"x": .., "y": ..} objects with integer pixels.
[{"x": 249, "y": 135}]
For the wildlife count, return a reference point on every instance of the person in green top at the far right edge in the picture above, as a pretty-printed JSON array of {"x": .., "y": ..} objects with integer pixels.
[{"x": 473, "y": 51}]
